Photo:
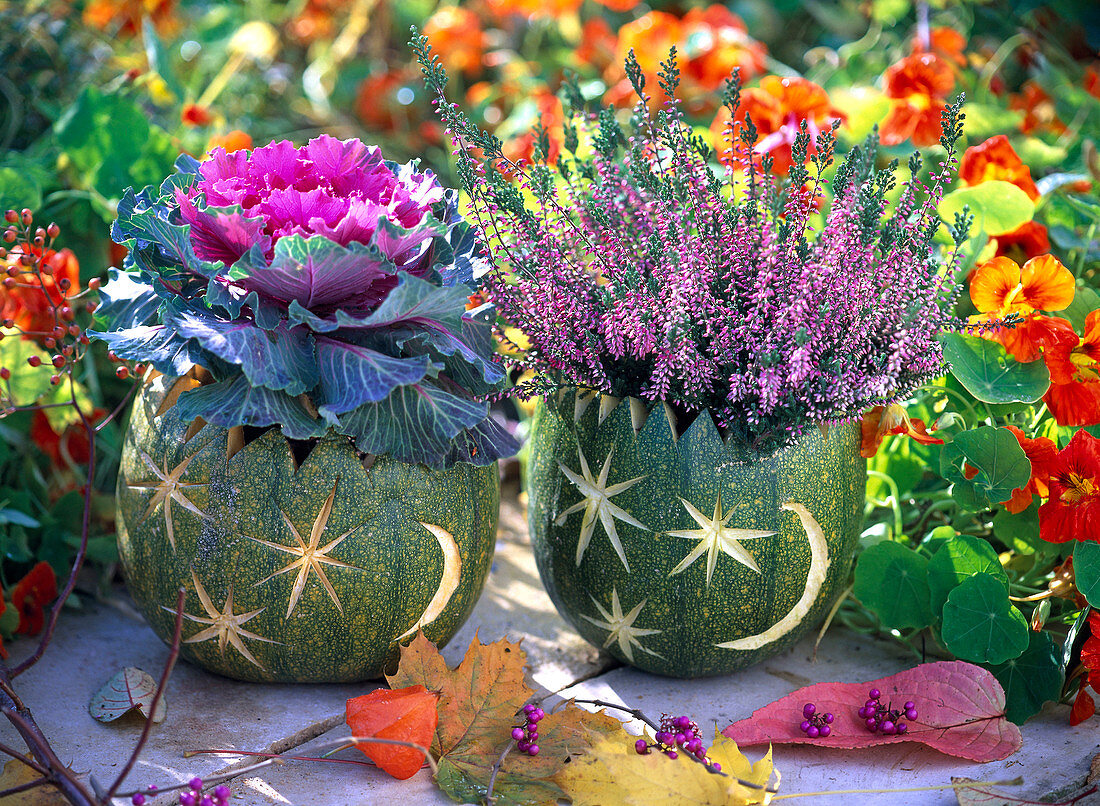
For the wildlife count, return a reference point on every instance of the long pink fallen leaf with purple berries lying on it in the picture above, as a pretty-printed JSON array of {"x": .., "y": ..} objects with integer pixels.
[{"x": 961, "y": 713}]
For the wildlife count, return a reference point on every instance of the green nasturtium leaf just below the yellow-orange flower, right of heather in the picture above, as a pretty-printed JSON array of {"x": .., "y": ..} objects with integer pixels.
[{"x": 989, "y": 373}]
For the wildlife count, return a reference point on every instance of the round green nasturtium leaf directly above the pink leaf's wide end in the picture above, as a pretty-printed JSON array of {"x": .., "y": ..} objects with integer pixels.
[{"x": 981, "y": 625}]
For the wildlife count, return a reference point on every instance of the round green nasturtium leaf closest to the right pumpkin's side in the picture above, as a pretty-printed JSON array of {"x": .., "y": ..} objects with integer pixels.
[{"x": 893, "y": 581}]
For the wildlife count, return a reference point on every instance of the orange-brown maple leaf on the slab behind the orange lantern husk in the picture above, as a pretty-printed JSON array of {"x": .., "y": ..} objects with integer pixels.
[{"x": 478, "y": 709}]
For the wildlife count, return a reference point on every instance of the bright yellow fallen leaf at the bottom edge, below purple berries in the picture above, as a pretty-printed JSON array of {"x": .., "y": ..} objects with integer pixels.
[{"x": 613, "y": 775}]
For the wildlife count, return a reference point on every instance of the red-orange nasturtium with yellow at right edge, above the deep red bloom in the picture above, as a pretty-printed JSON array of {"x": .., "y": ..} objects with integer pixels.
[{"x": 1074, "y": 398}]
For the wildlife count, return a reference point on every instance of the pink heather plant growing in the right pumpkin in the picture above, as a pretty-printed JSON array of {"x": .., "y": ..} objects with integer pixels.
[{"x": 637, "y": 266}]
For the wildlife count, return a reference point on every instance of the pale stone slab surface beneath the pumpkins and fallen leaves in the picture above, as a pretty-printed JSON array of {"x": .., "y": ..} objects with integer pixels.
[{"x": 211, "y": 712}]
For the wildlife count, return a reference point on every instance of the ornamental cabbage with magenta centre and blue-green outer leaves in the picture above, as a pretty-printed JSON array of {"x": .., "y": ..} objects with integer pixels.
[{"x": 322, "y": 288}]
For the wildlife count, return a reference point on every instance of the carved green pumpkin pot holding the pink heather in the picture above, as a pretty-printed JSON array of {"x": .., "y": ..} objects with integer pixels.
[{"x": 662, "y": 615}]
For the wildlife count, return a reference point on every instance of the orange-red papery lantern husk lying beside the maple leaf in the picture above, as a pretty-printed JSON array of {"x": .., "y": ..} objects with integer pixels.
[{"x": 402, "y": 715}]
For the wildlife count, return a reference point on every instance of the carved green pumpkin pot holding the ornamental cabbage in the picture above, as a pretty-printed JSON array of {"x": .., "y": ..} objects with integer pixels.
[{"x": 400, "y": 545}]
